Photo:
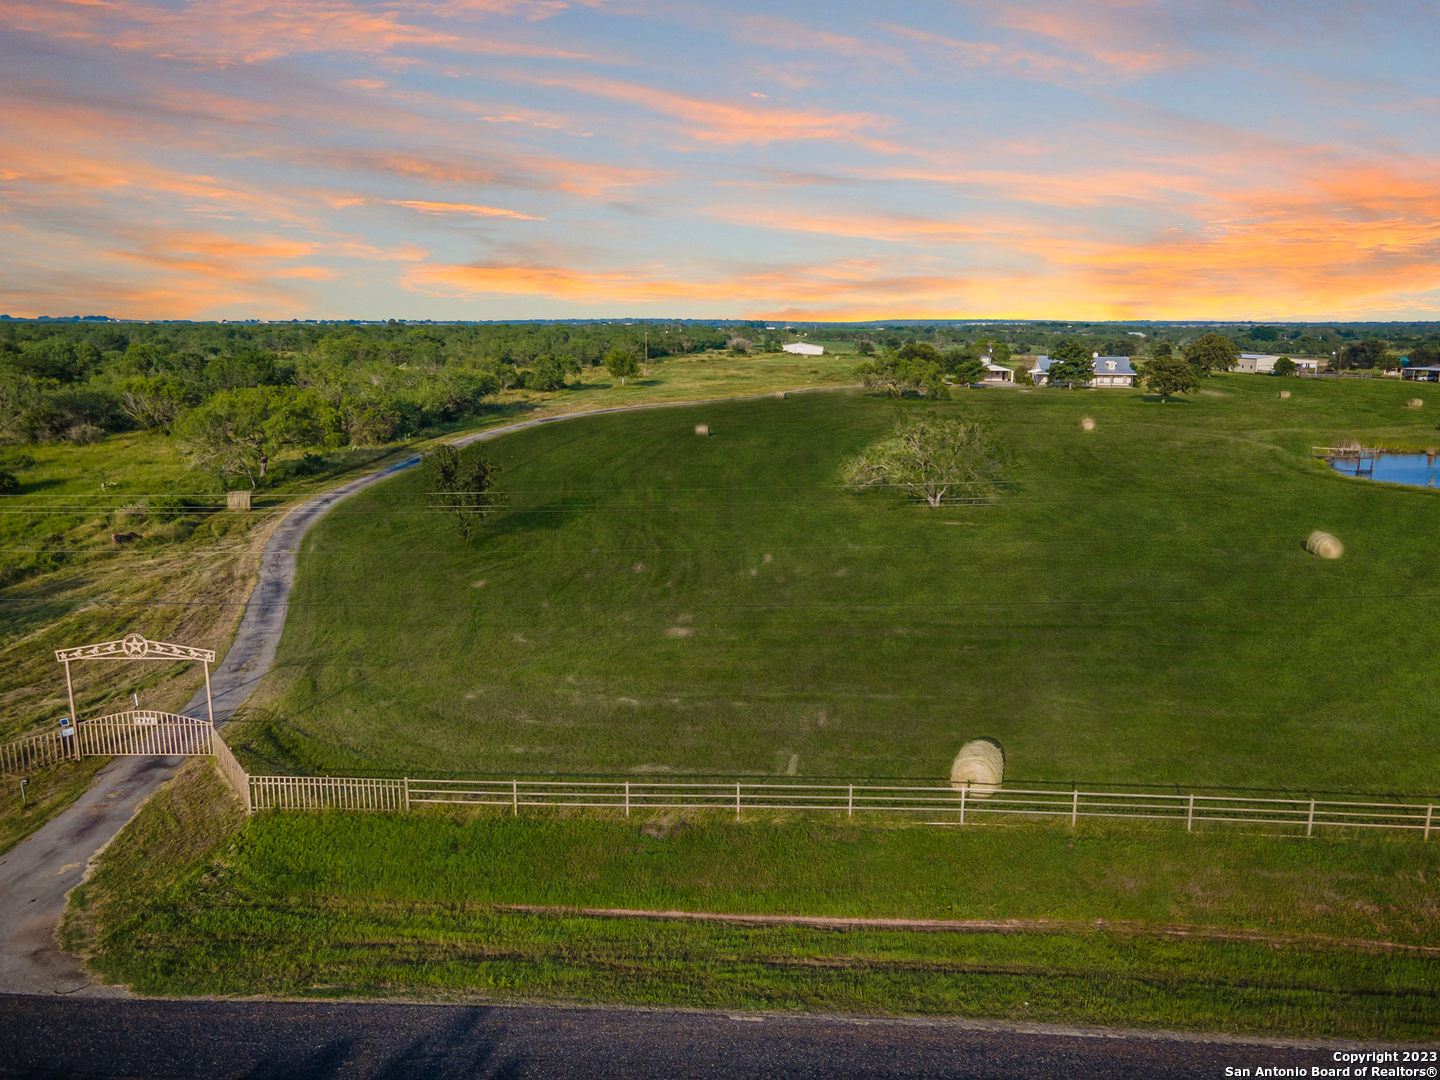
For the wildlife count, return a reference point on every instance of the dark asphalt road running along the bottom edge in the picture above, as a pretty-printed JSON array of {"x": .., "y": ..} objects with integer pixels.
[{"x": 54, "y": 1038}]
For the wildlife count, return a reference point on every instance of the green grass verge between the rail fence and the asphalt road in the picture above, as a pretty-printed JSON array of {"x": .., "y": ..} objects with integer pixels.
[{"x": 1282, "y": 935}]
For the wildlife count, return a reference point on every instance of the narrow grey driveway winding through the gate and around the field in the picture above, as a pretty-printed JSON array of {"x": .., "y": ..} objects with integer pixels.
[{"x": 40, "y": 873}]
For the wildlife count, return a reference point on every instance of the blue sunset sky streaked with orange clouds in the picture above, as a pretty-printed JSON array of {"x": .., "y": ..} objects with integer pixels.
[{"x": 503, "y": 159}]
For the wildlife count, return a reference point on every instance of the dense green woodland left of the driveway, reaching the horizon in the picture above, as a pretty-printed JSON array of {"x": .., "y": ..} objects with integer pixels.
[{"x": 237, "y": 395}]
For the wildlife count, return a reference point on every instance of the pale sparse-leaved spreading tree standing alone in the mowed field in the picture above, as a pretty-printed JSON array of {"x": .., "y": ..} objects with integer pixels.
[{"x": 928, "y": 457}]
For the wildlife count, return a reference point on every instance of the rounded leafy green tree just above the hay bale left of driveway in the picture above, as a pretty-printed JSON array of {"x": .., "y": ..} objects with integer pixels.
[{"x": 238, "y": 433}]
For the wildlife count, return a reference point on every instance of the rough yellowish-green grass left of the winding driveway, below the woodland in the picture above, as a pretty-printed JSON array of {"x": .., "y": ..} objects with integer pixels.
[{"x": 186, "y": 580}]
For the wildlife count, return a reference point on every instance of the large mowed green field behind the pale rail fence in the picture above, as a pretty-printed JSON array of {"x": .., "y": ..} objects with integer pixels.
[{"x": 1137, "y": 608}]
